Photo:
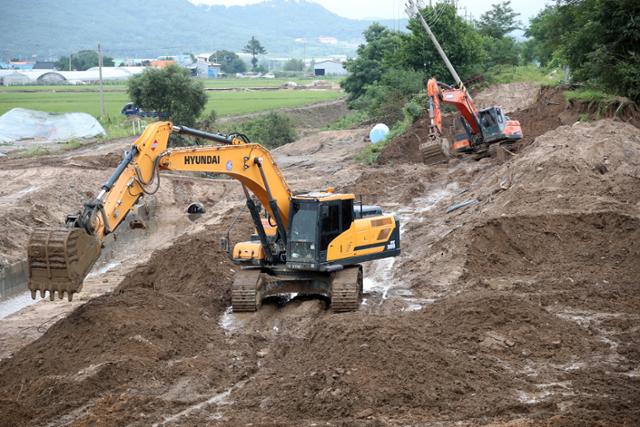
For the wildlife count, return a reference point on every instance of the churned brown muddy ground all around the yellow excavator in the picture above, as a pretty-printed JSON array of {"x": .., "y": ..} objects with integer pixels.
[{"x": 519, "y": 309}]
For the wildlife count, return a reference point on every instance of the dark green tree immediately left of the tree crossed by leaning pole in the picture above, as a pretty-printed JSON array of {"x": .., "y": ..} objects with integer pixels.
[{"x": 372, "y": 60}]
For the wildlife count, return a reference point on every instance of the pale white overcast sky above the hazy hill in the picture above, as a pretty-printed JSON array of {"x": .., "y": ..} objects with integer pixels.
[{"x": 362, "y": 9}]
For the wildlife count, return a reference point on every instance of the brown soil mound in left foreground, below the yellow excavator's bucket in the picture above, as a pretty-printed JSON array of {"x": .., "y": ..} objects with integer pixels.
[{"x": 150, "y": 334}]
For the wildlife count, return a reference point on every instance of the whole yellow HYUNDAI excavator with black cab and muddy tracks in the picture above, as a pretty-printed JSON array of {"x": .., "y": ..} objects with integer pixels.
[{"x": 312, "y": 243}]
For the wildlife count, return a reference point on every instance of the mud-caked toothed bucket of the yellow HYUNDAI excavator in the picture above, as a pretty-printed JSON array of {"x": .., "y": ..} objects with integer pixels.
[{"x": 59, "y": 260}]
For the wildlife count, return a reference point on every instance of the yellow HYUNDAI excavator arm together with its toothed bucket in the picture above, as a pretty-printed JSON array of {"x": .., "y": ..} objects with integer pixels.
[{"x": 60, "y": 258}]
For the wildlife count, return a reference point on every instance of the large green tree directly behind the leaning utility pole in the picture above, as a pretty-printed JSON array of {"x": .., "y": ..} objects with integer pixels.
[{"x": 460, "y": 41}]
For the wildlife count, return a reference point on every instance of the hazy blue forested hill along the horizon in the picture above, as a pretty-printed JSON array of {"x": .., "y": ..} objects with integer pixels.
[{"x": 144, "y": 28}]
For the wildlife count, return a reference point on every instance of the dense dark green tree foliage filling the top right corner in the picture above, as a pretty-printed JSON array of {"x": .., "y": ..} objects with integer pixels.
[{"x": 598, "y": 39}]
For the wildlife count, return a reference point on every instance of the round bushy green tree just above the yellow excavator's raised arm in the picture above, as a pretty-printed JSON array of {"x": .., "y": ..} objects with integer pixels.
[{"x": 170, "y": 91}]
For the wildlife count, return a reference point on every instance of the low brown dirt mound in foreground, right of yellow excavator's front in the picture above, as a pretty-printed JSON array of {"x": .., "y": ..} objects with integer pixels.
[{"x": 439, "y": 363}]
